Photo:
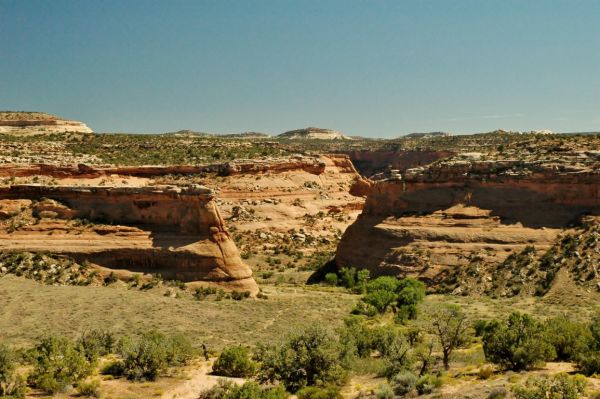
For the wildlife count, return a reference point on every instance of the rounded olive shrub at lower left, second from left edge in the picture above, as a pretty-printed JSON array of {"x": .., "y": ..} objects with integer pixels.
[{"x": 57, "y": 363}]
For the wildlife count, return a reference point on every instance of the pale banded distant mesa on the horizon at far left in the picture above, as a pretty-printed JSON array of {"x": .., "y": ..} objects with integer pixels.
[{"x": 26, "y": 123}]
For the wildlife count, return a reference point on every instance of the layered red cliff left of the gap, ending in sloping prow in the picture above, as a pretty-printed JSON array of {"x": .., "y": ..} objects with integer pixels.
[{"x": 177, "y": 232}]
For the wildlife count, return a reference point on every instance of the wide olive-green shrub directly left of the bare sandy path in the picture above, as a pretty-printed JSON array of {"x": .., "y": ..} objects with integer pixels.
[{"x": 147, "y": 356}]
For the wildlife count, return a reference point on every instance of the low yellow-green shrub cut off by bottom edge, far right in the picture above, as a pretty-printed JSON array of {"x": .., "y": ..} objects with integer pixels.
[{"x": 557, "y": 386}]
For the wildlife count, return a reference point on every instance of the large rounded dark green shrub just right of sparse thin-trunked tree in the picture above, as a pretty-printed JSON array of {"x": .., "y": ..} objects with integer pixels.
[{"x": 517, "y": 343}]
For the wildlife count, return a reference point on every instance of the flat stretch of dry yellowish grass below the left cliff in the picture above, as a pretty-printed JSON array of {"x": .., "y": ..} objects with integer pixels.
[{"x": 29, "y": 309}]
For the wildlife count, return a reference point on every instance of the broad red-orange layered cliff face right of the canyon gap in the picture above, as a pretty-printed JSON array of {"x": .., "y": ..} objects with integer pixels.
[{"x": 437, "y": 218}]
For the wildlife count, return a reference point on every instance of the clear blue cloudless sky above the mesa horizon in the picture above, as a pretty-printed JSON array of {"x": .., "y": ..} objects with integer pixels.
[{"x": 373, "y": 68}]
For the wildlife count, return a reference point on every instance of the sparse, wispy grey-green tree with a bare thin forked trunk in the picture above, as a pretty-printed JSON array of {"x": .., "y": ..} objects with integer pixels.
[{"x": 449, "y": 324}]
